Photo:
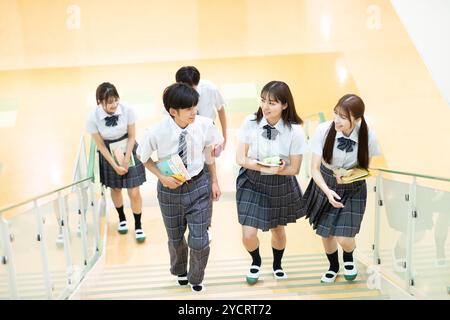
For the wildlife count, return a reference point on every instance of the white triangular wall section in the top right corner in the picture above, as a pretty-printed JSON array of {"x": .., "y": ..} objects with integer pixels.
[{"x": 428, "y": 25}]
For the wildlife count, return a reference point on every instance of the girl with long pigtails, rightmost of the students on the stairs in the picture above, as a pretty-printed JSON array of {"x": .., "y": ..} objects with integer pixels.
[{"x": 335, "y": 210}]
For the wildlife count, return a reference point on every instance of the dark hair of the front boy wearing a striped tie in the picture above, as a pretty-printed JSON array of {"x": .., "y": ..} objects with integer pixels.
[{"x": 180, "y": 96}]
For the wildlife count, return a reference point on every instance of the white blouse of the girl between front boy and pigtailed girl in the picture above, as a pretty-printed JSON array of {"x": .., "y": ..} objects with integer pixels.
[{"x": 288, "y": 141}]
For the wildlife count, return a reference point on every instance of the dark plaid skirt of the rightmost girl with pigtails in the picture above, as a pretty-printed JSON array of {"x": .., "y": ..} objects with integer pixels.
[{"x": 330, "y": 221}]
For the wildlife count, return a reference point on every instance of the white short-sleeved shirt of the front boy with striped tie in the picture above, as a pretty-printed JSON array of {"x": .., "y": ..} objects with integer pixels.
[{"x": 164, "y": 139}]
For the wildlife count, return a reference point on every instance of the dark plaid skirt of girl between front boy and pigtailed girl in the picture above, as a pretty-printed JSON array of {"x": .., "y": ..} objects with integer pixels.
[{"x": 267, "y": 201}]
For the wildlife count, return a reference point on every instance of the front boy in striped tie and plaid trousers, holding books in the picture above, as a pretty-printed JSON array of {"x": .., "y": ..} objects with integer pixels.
[{"x": 189, "y": 204}]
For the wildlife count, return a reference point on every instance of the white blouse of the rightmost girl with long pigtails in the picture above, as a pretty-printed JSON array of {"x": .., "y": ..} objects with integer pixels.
[{"x": 342, "y": 159}]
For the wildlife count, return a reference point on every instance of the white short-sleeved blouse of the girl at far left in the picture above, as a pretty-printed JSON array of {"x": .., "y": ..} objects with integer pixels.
[{"x": 96, "y": 122}]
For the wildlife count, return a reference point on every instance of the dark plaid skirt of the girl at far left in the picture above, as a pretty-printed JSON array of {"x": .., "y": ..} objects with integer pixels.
[{"x": 109, "y": 178}]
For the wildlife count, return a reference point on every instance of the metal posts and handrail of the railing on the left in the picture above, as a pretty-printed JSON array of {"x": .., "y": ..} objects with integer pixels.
[{"x": 73, "y": 279}]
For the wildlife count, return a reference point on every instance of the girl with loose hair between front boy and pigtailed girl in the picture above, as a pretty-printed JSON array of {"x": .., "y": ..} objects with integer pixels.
[{"x": 268, "y": 195}]
